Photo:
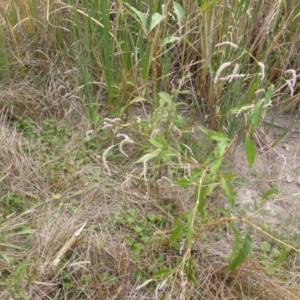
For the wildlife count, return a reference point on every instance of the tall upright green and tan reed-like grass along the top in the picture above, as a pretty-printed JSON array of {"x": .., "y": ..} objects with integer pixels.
[{"x": 118, "y": 50}]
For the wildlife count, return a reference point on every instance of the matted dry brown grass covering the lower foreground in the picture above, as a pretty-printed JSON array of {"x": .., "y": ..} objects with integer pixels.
[{"x": 42, "y": 230}]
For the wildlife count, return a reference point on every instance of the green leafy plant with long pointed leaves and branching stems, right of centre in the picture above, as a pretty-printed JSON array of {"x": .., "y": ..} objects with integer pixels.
[{"x": 204, "y": 178}]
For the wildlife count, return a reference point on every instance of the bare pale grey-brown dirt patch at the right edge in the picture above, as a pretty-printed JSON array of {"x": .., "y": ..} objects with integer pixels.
[{"x": 275, "y": 168}]
